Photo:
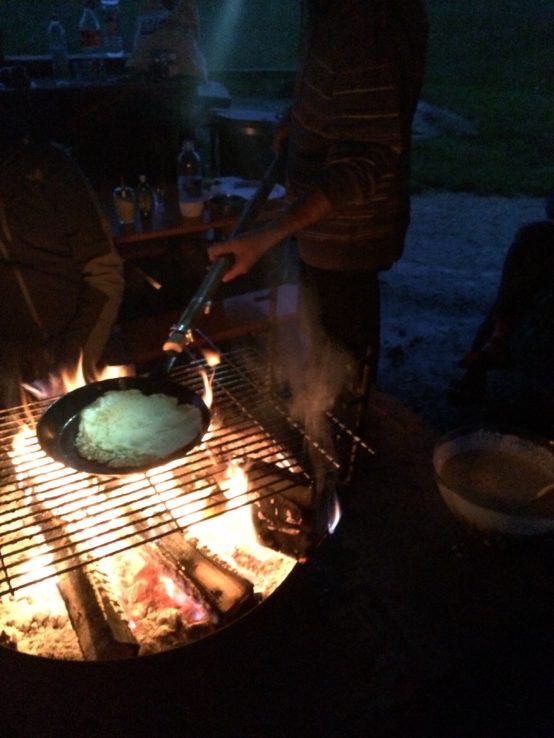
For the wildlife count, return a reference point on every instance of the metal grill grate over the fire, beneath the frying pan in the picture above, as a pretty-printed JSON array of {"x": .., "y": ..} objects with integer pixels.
[{"x": 54, "y": 519}]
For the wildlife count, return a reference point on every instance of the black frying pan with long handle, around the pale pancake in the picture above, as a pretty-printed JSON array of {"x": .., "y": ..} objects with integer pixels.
[{"x": 58, "y": 427}]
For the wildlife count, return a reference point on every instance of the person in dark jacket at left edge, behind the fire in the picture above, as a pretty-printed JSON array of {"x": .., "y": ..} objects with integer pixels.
[{"x": 61, "y": 280}]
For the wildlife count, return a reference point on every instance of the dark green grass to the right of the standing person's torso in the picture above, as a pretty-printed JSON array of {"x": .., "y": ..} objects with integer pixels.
[{"x": 492, "y": 63}]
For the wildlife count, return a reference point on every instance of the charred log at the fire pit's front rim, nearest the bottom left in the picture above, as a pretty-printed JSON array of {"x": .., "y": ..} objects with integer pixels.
[{"x": 99, "y": 622}]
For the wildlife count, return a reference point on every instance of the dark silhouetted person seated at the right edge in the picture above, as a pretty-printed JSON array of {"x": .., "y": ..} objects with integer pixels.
[{"x": 527, "y": 276}]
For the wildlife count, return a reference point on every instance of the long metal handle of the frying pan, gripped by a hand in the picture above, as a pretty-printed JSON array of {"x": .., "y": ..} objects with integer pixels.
[{"x": 180, "y": 332}]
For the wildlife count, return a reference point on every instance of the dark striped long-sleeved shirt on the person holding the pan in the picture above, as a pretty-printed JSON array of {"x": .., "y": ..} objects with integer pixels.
[{"x": 353, "y": 105}]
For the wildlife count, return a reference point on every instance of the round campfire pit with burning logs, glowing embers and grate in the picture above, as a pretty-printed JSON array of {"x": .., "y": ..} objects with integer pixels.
[{"x": 96, "y": 567}]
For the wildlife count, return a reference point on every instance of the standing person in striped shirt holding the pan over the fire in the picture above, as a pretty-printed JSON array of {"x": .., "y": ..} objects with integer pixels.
[{"x": 348, "y": 152}]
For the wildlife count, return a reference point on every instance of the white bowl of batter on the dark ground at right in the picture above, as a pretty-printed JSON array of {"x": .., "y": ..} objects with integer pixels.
[{"x": 492, "y": 480}]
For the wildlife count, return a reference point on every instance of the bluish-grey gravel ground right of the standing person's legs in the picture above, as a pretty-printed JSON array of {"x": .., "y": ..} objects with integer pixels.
[{"x": 433, "y": 300}]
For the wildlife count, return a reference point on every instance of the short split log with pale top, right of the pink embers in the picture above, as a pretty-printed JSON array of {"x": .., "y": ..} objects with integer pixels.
[{"x": 226, "y": 592}]
